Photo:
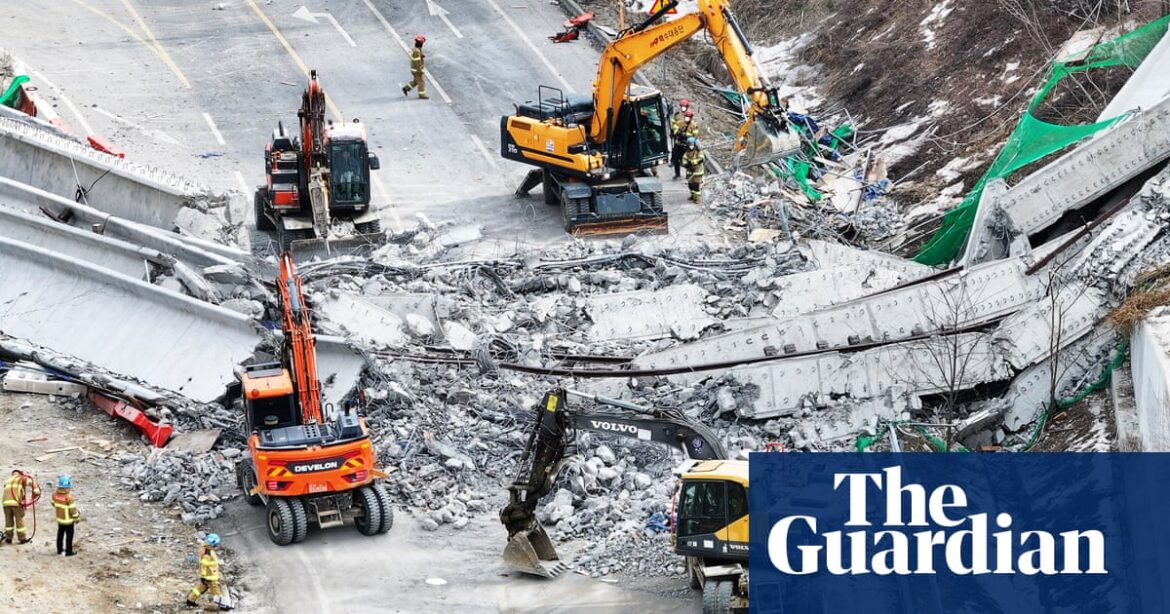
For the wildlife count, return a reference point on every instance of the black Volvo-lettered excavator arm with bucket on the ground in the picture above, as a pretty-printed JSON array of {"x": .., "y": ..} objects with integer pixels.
[{"x": 553, "y": 443}]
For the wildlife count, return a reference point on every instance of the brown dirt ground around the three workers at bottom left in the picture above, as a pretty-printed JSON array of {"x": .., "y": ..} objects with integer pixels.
[{"x": 132, "y": 555}]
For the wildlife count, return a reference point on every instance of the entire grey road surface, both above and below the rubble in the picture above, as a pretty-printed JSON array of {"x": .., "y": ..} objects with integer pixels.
[{"x": 197, "y": 89}]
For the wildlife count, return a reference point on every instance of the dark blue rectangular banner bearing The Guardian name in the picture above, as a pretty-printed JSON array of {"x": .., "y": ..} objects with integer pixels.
[{"x": 933, "y": 534}]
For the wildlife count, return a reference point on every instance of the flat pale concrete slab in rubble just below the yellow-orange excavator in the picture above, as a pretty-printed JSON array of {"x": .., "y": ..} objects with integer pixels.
[{"x": 676, "y": 311}]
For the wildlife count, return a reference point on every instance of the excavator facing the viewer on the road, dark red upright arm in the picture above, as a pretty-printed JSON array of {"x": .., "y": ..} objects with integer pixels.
[{"x": 319, "y": 176}]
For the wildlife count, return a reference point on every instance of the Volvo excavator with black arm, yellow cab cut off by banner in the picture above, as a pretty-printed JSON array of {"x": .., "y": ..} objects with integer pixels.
[{"x": 710, "y": 521}]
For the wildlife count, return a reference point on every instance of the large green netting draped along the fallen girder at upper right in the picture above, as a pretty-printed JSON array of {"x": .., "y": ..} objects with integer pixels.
[{"x": 1035, "y": 139}]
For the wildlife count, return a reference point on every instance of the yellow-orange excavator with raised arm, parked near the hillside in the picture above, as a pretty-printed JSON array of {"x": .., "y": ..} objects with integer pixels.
[{"x": 597, "y": 157}]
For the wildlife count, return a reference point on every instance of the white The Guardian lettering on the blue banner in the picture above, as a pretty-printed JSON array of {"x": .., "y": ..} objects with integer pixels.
[{"x": 925, "y": 533}]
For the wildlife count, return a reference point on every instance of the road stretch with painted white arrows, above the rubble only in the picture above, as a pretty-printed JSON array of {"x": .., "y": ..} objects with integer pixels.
[{"x": 198, "y": 91}]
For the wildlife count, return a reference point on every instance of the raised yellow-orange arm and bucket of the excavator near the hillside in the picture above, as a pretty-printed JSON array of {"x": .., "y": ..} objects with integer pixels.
[{"x": 761, "y": 139}]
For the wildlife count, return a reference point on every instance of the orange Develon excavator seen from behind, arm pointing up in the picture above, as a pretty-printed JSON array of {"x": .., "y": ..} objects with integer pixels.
[{"x": 307, "y": 463}]
